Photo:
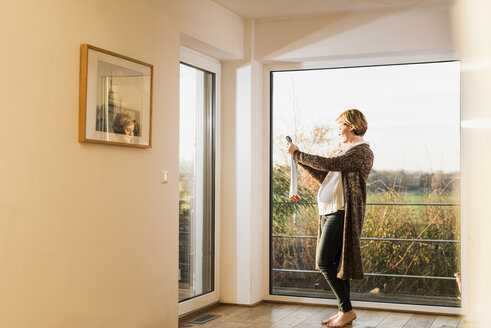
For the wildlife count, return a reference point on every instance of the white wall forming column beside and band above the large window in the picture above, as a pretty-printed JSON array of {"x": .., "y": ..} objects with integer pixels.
[{"x": 391, "y": 36}]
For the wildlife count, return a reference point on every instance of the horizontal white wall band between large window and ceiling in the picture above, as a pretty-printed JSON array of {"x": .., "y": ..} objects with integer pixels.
[{"x": 414, "y": 33}]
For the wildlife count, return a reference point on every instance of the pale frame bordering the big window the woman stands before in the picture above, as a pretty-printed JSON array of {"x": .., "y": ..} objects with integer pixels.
[{"x": 267, "y": 260}]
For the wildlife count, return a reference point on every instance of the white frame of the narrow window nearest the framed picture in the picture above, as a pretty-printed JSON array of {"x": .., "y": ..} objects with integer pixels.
[{"x": 198, "y": 60}]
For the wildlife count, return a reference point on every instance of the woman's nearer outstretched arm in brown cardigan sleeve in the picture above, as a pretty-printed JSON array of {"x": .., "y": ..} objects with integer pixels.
[{"x": 354, "y": 160}]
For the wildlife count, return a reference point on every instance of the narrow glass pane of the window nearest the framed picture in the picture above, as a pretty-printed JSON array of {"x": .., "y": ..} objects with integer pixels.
[{"x": 196, "y": 183}]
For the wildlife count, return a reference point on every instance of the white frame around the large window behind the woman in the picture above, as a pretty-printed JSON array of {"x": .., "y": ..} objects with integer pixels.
[{"x": 356, "y": 62}]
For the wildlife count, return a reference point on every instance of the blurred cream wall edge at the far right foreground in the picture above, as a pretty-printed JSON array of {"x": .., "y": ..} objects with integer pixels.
[{"x": 472, "y": 26}]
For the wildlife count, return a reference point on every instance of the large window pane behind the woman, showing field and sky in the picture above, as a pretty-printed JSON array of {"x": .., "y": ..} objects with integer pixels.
[{"x": 411, "y": 236}]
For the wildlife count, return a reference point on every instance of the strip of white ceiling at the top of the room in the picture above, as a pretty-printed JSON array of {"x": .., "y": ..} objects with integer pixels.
[{"x": 286, "y": 8}]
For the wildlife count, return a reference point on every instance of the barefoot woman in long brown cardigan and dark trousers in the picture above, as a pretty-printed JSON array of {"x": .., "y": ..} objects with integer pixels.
[{"x": 341, "y": 201}]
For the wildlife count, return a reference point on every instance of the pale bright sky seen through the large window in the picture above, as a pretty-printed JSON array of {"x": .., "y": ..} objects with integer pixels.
[{"x": 413, "y": 111}]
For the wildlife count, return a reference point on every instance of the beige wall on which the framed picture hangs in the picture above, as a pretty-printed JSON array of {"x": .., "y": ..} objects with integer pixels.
[{"x": 88, "y": 235}]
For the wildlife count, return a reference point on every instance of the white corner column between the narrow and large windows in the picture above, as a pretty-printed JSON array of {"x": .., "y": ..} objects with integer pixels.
[{"x": 242, "y": 180}]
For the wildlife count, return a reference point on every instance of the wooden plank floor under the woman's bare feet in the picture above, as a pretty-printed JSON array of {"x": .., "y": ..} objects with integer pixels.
[{"x": 276, "y": 315}]
